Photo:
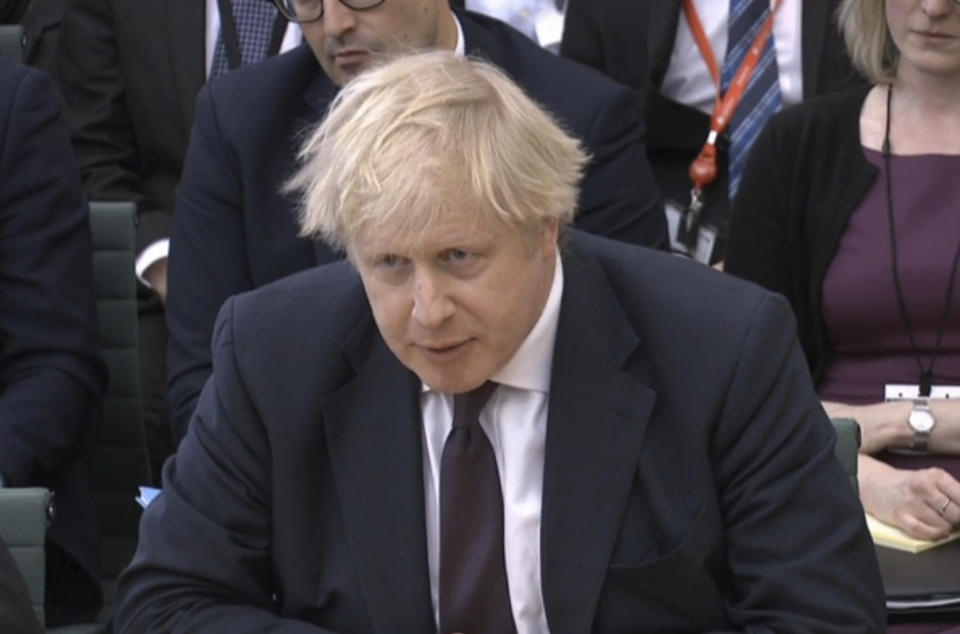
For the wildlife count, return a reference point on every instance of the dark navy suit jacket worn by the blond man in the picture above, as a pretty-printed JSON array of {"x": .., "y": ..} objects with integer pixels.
[{"x": 690, "y": 482}]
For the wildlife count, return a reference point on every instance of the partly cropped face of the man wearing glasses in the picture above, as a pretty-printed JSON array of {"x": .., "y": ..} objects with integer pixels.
[{"x": 347, "y": 41}]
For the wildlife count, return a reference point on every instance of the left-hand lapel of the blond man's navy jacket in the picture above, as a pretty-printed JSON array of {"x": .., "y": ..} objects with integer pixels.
[{"x": 374, "y": 438}]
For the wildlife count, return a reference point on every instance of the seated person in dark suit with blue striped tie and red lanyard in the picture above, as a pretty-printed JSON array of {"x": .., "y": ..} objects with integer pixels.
[{"x": 650, "y": 46}]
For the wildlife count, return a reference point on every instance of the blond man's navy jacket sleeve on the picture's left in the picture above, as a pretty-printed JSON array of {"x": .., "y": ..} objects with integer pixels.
[{"x": 203, "y": 563}]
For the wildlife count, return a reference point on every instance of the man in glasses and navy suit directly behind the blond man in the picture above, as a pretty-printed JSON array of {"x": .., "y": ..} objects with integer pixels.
[{"x": 235, "y": 231}]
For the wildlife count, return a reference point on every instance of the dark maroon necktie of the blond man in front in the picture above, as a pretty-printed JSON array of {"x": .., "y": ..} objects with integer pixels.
[{"x": 474, "y": 596}]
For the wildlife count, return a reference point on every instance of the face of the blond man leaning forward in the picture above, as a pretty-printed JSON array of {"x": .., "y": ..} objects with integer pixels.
[{"x": 456, "y": 306}]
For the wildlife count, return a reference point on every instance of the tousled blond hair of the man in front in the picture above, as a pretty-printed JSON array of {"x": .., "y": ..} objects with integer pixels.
[{"x": 426, "y": 134}]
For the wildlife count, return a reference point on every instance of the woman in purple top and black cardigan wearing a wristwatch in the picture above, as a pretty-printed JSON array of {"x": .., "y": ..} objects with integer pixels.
[{"x": 848, "y": 208}]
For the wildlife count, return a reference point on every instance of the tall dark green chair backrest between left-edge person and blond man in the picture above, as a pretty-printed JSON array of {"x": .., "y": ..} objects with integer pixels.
[{"x": 117, "y": 461}]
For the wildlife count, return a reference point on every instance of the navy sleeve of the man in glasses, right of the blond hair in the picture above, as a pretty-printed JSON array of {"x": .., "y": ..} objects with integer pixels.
[{"x": 620, "y": 198}]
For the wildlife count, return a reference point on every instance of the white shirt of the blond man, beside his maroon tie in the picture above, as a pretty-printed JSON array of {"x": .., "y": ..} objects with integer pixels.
[{"x": 515, "y": 421}]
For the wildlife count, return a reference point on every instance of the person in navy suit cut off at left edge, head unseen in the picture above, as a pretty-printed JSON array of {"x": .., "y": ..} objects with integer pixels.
[{"x": 51, "y": 375}]
